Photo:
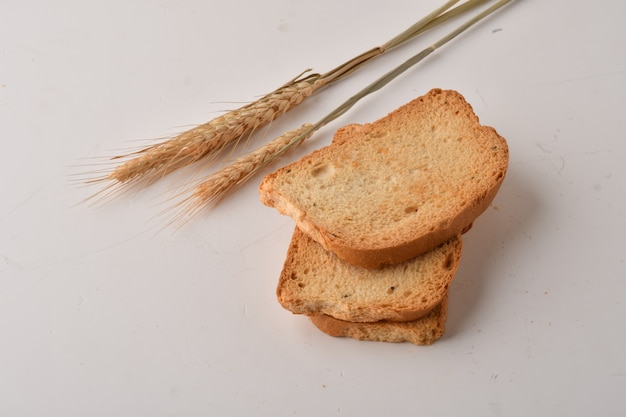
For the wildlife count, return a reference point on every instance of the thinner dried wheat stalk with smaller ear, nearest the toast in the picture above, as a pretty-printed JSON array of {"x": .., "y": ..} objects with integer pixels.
[{"x": 215, "y": 187}]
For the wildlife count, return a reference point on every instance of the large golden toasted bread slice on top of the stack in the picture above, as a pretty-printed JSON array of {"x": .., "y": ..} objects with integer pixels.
[{"x": 388, "y": 191}]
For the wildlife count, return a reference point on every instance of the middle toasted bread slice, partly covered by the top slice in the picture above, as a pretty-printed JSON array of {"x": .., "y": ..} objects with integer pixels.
[{"x": 315, "y": 281}]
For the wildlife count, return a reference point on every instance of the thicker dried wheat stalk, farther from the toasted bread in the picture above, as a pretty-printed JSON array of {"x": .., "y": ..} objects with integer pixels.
[{"x": 207, "y": 140}]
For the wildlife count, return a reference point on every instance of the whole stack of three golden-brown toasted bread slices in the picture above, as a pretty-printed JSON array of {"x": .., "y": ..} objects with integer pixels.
[{"x": 379, "y": 216}]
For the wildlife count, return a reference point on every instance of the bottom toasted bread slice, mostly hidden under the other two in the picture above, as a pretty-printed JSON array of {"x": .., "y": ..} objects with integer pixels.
[{"x": 423, "y": 331}]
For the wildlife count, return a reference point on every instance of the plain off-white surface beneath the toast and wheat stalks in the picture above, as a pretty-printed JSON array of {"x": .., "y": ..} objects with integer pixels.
[{"x": 105, "y": 312}]
